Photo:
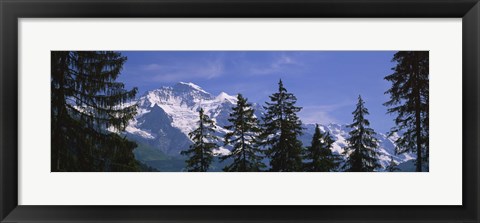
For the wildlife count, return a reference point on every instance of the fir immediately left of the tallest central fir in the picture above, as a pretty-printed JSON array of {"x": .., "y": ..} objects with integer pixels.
[{"x": 243, "y": 136}]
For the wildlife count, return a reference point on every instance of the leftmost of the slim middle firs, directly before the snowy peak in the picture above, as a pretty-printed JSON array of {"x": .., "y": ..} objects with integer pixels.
[{"x": 201, "y": 151}]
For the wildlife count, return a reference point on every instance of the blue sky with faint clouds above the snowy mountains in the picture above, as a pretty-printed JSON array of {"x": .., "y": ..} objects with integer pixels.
[{"x": 326, "y": 83}]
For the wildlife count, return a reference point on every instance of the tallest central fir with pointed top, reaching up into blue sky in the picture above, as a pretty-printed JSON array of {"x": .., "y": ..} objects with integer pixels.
[{"x": 281, "y": 128}]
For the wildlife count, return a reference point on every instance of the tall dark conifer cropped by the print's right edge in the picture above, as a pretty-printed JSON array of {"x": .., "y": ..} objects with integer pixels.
[{"x": 409, "y": 100}]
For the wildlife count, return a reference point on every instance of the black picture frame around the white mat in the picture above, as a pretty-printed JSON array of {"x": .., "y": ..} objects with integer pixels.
[{"x": 12, "y": 10}]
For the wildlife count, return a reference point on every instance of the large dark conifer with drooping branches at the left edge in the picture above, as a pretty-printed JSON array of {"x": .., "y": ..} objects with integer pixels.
[{"x": 85, "y": 101}]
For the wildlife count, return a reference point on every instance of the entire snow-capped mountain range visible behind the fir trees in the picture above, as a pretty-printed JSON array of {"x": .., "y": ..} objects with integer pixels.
[{"x": 166, "y": 116}]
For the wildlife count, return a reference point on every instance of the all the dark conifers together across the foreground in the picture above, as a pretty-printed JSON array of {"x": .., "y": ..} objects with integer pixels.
[{"x": 90, "y": 109}]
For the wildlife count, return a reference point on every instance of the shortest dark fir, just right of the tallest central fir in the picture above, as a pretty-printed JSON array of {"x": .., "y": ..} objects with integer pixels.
[{"x": 319, "y": 156}]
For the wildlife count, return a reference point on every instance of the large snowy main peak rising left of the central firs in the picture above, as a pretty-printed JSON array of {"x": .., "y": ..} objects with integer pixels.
[{"x": 179, "y": 103}]
